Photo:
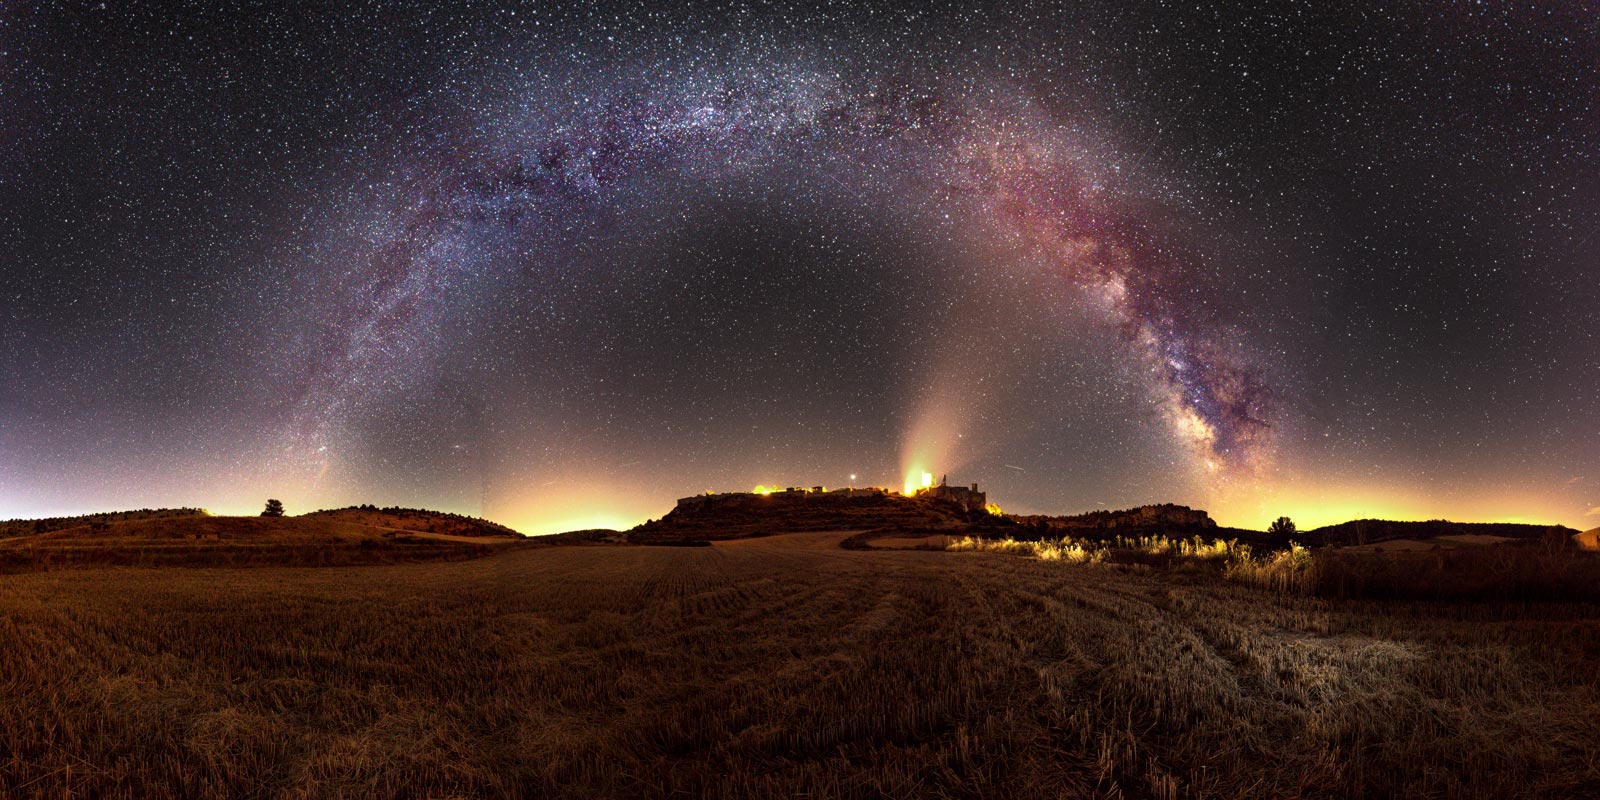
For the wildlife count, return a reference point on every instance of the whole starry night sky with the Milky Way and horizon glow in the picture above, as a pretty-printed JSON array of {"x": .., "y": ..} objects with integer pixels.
[{"x": 561, "y": 265}]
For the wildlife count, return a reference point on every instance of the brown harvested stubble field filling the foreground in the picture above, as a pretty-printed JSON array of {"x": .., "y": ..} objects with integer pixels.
[{"x": 777, "y": 668}]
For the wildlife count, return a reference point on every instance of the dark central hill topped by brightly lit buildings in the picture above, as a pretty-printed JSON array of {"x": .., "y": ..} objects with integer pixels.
[{"x": 713, "y": 518}]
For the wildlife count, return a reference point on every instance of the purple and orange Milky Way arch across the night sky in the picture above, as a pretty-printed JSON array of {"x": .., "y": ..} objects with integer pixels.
[{"x": 551, "y": 161}]
